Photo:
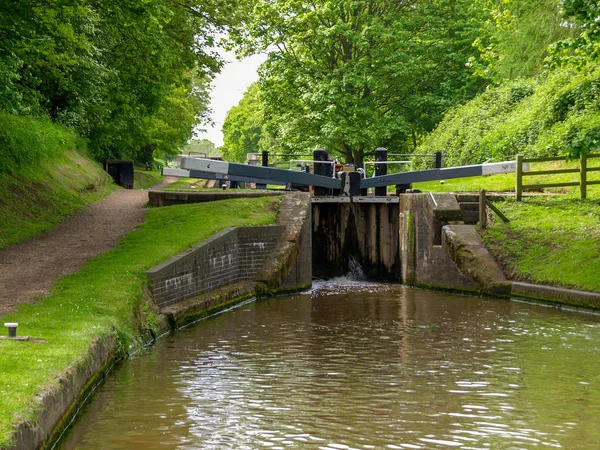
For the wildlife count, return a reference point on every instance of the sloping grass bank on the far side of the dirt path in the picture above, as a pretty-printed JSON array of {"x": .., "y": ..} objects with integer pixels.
[{"x": 33, "y": 200}]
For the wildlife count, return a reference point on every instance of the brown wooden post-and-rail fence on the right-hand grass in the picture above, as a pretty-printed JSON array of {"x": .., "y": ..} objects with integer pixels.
[{"x": 583, "y": 170}]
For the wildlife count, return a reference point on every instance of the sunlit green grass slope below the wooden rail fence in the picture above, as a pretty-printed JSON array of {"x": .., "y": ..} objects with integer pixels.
[{"x": 553, "y": 241}]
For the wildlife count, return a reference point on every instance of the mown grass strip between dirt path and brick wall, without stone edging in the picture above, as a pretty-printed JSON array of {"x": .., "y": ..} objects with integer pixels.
[{"x": 102, "y": 298}]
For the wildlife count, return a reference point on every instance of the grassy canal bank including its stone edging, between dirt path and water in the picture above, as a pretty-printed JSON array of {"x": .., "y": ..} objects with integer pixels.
[{"x": 102, "y": 306}]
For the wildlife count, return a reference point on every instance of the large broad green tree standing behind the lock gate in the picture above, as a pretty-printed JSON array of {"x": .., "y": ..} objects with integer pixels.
[{"x": 354, "y": 75}]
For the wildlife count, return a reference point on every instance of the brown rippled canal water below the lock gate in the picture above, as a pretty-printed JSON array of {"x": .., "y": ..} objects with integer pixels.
[{"x": 364, "y": 366}]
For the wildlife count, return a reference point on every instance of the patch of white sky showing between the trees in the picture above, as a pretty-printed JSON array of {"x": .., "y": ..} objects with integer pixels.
[{"x": 228, "y": 89}]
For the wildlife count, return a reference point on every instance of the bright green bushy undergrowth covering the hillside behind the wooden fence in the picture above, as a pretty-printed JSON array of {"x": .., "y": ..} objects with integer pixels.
[{"x": 556, "y": 115}]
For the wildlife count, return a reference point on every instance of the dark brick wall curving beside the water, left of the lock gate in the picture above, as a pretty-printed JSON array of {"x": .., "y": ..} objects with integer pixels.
[{"x": 236, "y": 254}]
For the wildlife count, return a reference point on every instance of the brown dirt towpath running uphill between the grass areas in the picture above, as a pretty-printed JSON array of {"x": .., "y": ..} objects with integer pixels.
[{"x": 28, "y": 269}]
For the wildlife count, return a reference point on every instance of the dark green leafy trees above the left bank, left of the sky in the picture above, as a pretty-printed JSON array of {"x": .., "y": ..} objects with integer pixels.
[{"x": 132, "y": 77}]
